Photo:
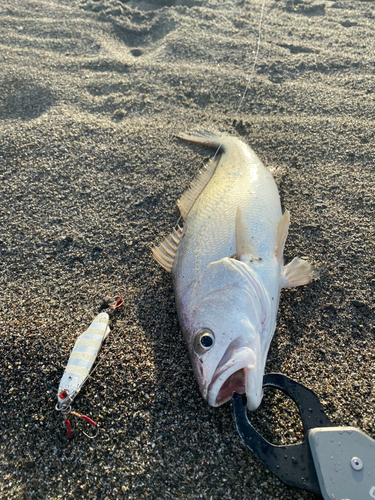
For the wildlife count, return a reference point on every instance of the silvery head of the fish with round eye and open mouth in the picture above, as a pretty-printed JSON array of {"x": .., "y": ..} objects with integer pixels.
[{"x": 225, "y": 321}]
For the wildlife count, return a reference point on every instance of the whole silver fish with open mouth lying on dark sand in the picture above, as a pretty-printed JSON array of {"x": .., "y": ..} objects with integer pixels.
[{"x": 227, "y": 268}]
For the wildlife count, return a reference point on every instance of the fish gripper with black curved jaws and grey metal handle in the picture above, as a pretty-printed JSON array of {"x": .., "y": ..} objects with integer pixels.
[{"x": 336, "y": 462}]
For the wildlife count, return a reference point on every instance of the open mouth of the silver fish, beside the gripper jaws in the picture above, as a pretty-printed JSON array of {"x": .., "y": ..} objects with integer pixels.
[{"x": 236, "y": 374}]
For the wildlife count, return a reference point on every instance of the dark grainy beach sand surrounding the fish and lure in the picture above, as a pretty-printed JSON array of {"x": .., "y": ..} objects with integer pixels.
[{"x": 92, "y": 93}]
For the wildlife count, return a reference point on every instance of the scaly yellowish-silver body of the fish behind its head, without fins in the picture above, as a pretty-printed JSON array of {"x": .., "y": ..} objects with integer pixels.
[{"x": 240, "y": 180}]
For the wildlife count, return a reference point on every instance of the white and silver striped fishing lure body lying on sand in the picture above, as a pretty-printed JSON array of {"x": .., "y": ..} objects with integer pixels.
[{"x": 82, "y": 359}]
